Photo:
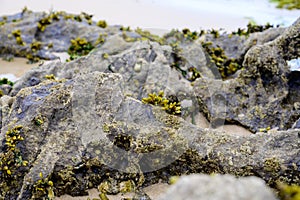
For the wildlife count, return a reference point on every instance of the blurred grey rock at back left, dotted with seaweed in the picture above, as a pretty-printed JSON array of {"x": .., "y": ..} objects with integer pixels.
[{"x": 59, "y": 29}]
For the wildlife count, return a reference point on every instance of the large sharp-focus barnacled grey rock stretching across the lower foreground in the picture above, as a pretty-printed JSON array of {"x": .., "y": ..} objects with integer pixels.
[{"x": 80, "y": 132}]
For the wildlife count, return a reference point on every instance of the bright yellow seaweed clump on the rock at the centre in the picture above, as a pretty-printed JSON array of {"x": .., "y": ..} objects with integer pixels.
[{"x": 171, "y": 106}]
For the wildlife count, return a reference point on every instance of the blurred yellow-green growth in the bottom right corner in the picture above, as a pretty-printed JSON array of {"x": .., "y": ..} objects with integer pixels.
[{"x": 288, "y": 192}]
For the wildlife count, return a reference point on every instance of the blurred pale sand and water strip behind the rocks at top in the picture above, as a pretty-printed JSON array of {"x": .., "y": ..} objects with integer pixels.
[{"x": 166, "y": 14}]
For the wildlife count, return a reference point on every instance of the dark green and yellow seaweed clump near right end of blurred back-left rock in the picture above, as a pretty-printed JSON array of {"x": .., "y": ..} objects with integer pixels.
[{"x": 79, "y": 47}]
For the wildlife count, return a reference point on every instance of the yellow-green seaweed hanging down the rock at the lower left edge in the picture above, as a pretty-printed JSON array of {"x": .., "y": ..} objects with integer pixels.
[{"x": 12, "y": 165}]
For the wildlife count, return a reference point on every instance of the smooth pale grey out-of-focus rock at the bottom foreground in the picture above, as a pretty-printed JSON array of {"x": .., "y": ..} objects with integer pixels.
[{"x": 215, "y": 187}]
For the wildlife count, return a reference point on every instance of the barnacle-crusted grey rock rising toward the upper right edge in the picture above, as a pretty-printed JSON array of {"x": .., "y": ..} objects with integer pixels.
[{"x": 259, "y": 96}]
